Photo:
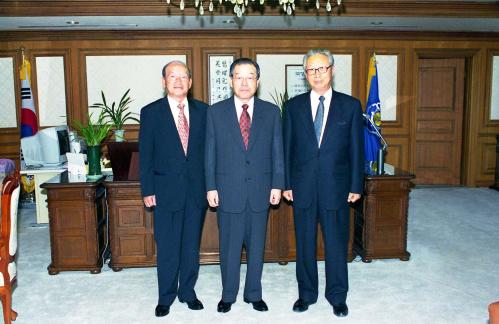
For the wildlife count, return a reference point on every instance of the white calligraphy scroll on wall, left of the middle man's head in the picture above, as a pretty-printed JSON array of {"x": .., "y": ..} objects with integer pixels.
[{"x": 218, "y": 77}]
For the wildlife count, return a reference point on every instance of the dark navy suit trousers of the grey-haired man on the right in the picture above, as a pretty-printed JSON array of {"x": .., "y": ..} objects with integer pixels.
[{"x": 335, "y": 231}]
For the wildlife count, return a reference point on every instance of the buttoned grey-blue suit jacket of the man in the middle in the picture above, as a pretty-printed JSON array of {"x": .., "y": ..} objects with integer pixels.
[{"x": 241, "y": 175}]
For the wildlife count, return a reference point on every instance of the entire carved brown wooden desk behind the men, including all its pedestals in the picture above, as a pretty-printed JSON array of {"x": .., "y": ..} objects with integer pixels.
[{"x": 378, "y": 225}]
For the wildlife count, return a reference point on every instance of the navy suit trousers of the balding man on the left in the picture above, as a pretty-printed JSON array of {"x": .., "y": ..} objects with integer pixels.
[{"x": 177, "y": 236}]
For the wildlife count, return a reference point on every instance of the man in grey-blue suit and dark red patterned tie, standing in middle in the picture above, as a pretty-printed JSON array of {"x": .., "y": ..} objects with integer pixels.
[{"x": 244, "y": 173}]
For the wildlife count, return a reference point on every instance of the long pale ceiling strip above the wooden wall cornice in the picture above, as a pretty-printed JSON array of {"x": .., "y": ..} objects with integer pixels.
[{"x": 334, "y": 23}]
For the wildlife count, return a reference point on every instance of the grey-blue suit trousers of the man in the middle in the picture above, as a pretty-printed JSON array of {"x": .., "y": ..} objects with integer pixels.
[{"x": 235, "y": 229}]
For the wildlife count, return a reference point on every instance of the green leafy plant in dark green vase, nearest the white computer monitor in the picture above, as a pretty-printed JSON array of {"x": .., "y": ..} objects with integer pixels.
[{"x": 93, "y": 133}]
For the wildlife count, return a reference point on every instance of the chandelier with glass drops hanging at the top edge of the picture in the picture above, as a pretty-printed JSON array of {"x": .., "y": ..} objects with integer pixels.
[{"x": 240, "y": 6}]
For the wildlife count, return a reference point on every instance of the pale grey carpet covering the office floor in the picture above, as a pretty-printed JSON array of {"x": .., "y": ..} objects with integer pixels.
[{"x": 452, "y": 276}]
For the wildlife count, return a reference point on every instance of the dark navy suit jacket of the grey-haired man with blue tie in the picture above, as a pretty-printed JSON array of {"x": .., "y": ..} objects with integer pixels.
[{"x": 337, "y": 167}]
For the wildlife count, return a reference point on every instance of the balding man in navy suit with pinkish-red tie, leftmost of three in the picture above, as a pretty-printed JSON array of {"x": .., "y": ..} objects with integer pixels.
[{"x": 171, "y": 148}]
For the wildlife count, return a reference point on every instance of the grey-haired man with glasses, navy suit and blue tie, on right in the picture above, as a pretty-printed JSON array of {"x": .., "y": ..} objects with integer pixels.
[{"x": 323, "y": 149}]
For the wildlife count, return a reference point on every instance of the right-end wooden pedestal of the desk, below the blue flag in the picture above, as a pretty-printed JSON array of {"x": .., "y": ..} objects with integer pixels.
[{"x": 381, "y": 220}]
